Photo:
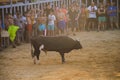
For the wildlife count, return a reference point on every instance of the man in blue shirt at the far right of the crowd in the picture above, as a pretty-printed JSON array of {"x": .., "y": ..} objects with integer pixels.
[{"x": 112, "y": 13}]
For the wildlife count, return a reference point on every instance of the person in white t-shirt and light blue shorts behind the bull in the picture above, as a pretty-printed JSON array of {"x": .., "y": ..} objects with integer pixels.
[{"x": 51, "y": 24}]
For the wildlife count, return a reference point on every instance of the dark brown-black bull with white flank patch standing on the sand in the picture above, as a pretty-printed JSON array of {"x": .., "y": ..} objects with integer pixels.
[{"x": 61, "y": 44}]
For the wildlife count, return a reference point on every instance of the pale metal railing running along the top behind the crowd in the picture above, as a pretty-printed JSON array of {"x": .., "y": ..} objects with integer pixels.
[{"x": 22, "y": 7}]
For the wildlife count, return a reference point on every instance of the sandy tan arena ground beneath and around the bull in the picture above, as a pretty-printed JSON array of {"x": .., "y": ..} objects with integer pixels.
[{"x": 98, "y": 60}]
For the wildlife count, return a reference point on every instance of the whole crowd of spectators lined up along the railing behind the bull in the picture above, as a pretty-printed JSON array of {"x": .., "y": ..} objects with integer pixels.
[{"x": 52, "y": 21}]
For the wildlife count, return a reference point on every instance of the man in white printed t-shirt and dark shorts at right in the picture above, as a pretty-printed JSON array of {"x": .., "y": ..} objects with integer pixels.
[{"x": 92, "y": 9}]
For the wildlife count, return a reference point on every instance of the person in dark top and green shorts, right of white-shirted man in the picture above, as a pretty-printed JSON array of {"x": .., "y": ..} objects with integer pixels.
[{"x": 101, "y": 17}]
